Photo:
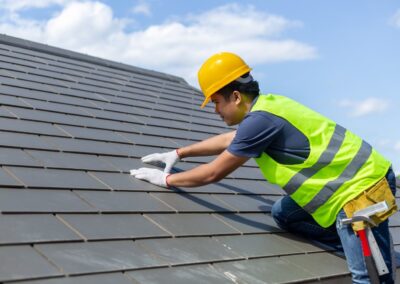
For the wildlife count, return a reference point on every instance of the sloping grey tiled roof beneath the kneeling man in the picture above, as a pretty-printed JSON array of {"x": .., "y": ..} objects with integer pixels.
[{"x": 71, "y": 128}]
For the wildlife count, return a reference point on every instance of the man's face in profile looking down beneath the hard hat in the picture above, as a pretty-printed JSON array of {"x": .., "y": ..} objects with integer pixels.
[{"x": 230, "y": 109}]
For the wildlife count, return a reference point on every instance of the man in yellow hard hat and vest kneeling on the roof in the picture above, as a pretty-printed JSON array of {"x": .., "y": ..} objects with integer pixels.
[{"x": 322, "y": 166}]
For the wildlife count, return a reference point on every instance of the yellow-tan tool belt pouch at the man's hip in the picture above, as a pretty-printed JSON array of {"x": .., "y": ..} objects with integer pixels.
[{"x": 375, "y": 194}]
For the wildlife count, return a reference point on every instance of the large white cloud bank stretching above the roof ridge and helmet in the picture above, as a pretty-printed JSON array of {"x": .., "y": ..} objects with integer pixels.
[{"x": 177, "y": 46}]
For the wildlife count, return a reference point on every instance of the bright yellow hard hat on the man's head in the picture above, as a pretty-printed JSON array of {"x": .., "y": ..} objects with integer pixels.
[{"x": 218, "y": 71}]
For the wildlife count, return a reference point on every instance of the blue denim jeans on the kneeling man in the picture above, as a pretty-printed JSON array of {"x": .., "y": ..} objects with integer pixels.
[{"x": 291, "y": 217}]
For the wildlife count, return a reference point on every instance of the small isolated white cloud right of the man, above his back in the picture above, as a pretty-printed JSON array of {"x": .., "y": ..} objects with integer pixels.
[{"x": 365, "y": 107}]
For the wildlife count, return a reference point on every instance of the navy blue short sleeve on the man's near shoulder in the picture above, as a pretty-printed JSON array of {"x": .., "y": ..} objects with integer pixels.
[{"x": 255, "y": 133}]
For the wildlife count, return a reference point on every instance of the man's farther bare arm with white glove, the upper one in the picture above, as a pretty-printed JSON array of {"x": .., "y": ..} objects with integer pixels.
[{"x": 211, "y": 146}]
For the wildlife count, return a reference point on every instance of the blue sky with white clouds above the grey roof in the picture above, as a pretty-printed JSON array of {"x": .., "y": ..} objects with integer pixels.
[{"x": 339, "y": 57}]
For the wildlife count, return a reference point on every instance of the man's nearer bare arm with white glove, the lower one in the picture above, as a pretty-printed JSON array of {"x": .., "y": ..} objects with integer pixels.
[{"x": 204, "y": 174}]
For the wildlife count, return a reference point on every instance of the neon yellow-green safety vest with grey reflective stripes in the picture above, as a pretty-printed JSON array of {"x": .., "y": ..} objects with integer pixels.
[{"x": 340, "y": 164}]
